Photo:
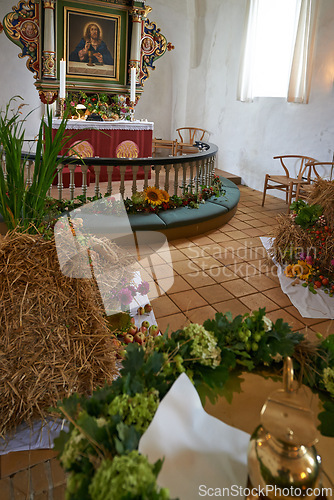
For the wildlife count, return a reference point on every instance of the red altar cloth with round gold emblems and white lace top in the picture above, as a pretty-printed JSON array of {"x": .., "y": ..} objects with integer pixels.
[{"x": 117, "y": 139}]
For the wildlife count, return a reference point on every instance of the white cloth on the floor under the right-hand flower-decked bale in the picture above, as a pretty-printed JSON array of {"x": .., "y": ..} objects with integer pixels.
[{"x": 309, "y": 305}]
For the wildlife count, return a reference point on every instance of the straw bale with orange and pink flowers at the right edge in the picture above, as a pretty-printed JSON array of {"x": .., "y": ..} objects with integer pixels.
[{"x": 312, "y": 261}]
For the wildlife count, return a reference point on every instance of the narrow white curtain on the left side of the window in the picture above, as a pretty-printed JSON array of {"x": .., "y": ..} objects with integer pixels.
[{"x": 245, "y": 83}]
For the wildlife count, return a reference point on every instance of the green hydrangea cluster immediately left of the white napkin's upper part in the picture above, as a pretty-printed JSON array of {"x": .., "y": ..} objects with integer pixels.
[{"x": 136, "y": 410}]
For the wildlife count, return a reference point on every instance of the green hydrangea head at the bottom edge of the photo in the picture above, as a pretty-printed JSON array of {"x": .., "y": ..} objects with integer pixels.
[{"x": 127, "y": 476}]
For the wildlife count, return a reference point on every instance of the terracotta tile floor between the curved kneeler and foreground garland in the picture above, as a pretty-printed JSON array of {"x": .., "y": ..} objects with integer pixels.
[{"x": 226, "y": 270}]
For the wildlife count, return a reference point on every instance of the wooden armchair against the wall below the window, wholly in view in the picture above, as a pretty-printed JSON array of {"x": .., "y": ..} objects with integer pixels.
[{"x": 285, "y": 182}]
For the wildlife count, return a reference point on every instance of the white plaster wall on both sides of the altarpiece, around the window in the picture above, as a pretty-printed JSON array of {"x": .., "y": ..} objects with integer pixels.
[{"x": 196, "y": 83}]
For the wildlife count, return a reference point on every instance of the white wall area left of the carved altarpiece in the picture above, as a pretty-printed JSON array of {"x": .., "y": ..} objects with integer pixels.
[{"x": 16, "y": 79}]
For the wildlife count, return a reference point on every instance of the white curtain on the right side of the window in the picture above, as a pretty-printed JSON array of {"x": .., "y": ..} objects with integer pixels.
[{"x": 300, "y": 76}]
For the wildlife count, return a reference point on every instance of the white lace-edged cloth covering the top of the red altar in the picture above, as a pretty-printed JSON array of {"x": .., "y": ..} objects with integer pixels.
[{"x": 104, "y": 125}]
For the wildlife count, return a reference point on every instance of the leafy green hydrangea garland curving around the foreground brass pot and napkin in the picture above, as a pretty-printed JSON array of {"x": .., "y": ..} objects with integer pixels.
[{"x": 100, "y": 450}]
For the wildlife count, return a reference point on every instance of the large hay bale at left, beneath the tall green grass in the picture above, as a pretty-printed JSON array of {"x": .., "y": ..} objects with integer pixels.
[{"x": 54, "y": 338}]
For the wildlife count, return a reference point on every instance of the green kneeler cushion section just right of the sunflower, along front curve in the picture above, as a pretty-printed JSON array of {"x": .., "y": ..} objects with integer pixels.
[{"x": 184, "y": 216}]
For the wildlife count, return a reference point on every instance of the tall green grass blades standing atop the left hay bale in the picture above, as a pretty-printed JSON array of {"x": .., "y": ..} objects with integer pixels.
[{"x": 23, "y": 205}]
